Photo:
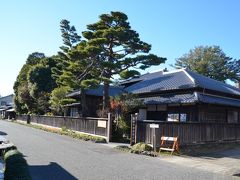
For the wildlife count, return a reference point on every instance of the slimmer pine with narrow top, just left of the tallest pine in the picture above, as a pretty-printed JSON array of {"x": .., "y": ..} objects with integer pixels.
[{"x": 74, "y": 64}]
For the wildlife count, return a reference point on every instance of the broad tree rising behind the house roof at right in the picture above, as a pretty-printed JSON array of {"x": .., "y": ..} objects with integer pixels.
[{"x": 210, "y": 61}]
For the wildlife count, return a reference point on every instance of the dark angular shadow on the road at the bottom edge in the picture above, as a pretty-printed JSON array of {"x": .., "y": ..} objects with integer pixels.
[{"x": 51, "y": 171}]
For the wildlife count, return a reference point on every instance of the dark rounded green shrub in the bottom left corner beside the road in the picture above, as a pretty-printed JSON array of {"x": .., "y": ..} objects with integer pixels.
[{"x": 15, "y": 166}]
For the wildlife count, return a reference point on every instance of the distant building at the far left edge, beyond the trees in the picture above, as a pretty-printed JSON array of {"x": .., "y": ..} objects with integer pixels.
[{"x": 7, "y": 107}]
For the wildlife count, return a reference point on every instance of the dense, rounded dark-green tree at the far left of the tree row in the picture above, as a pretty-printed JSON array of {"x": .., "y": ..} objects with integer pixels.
[{"x": 34, "y": 84}]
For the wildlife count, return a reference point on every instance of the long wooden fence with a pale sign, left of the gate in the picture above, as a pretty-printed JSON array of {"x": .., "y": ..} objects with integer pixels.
[{"x": 96, "y": 126}]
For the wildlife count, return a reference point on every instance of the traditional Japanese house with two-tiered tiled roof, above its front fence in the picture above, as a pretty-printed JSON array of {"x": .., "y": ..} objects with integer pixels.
[{"x": 183, "y": 96}]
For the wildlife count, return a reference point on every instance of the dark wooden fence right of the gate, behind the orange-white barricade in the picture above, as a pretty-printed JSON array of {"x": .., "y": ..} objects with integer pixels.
[{"x": 187, "y": 132}]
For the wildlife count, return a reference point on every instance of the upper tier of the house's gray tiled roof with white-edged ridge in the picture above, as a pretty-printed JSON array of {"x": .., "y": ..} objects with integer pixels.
[{"x": 181, "y": 79}]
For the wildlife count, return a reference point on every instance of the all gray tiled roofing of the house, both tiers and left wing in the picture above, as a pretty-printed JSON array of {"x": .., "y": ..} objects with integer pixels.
[{"x": 180, "y": 79}]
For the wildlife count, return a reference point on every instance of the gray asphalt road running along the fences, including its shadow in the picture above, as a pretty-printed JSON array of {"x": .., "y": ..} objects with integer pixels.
[{"x": 52, "y": 156}]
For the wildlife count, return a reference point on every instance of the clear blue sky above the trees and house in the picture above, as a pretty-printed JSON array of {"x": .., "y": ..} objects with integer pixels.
[{"x": 173, "y": 27}]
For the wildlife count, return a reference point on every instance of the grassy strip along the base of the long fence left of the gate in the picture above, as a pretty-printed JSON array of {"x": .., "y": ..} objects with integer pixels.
[{"x": 66, "y": 132}]
